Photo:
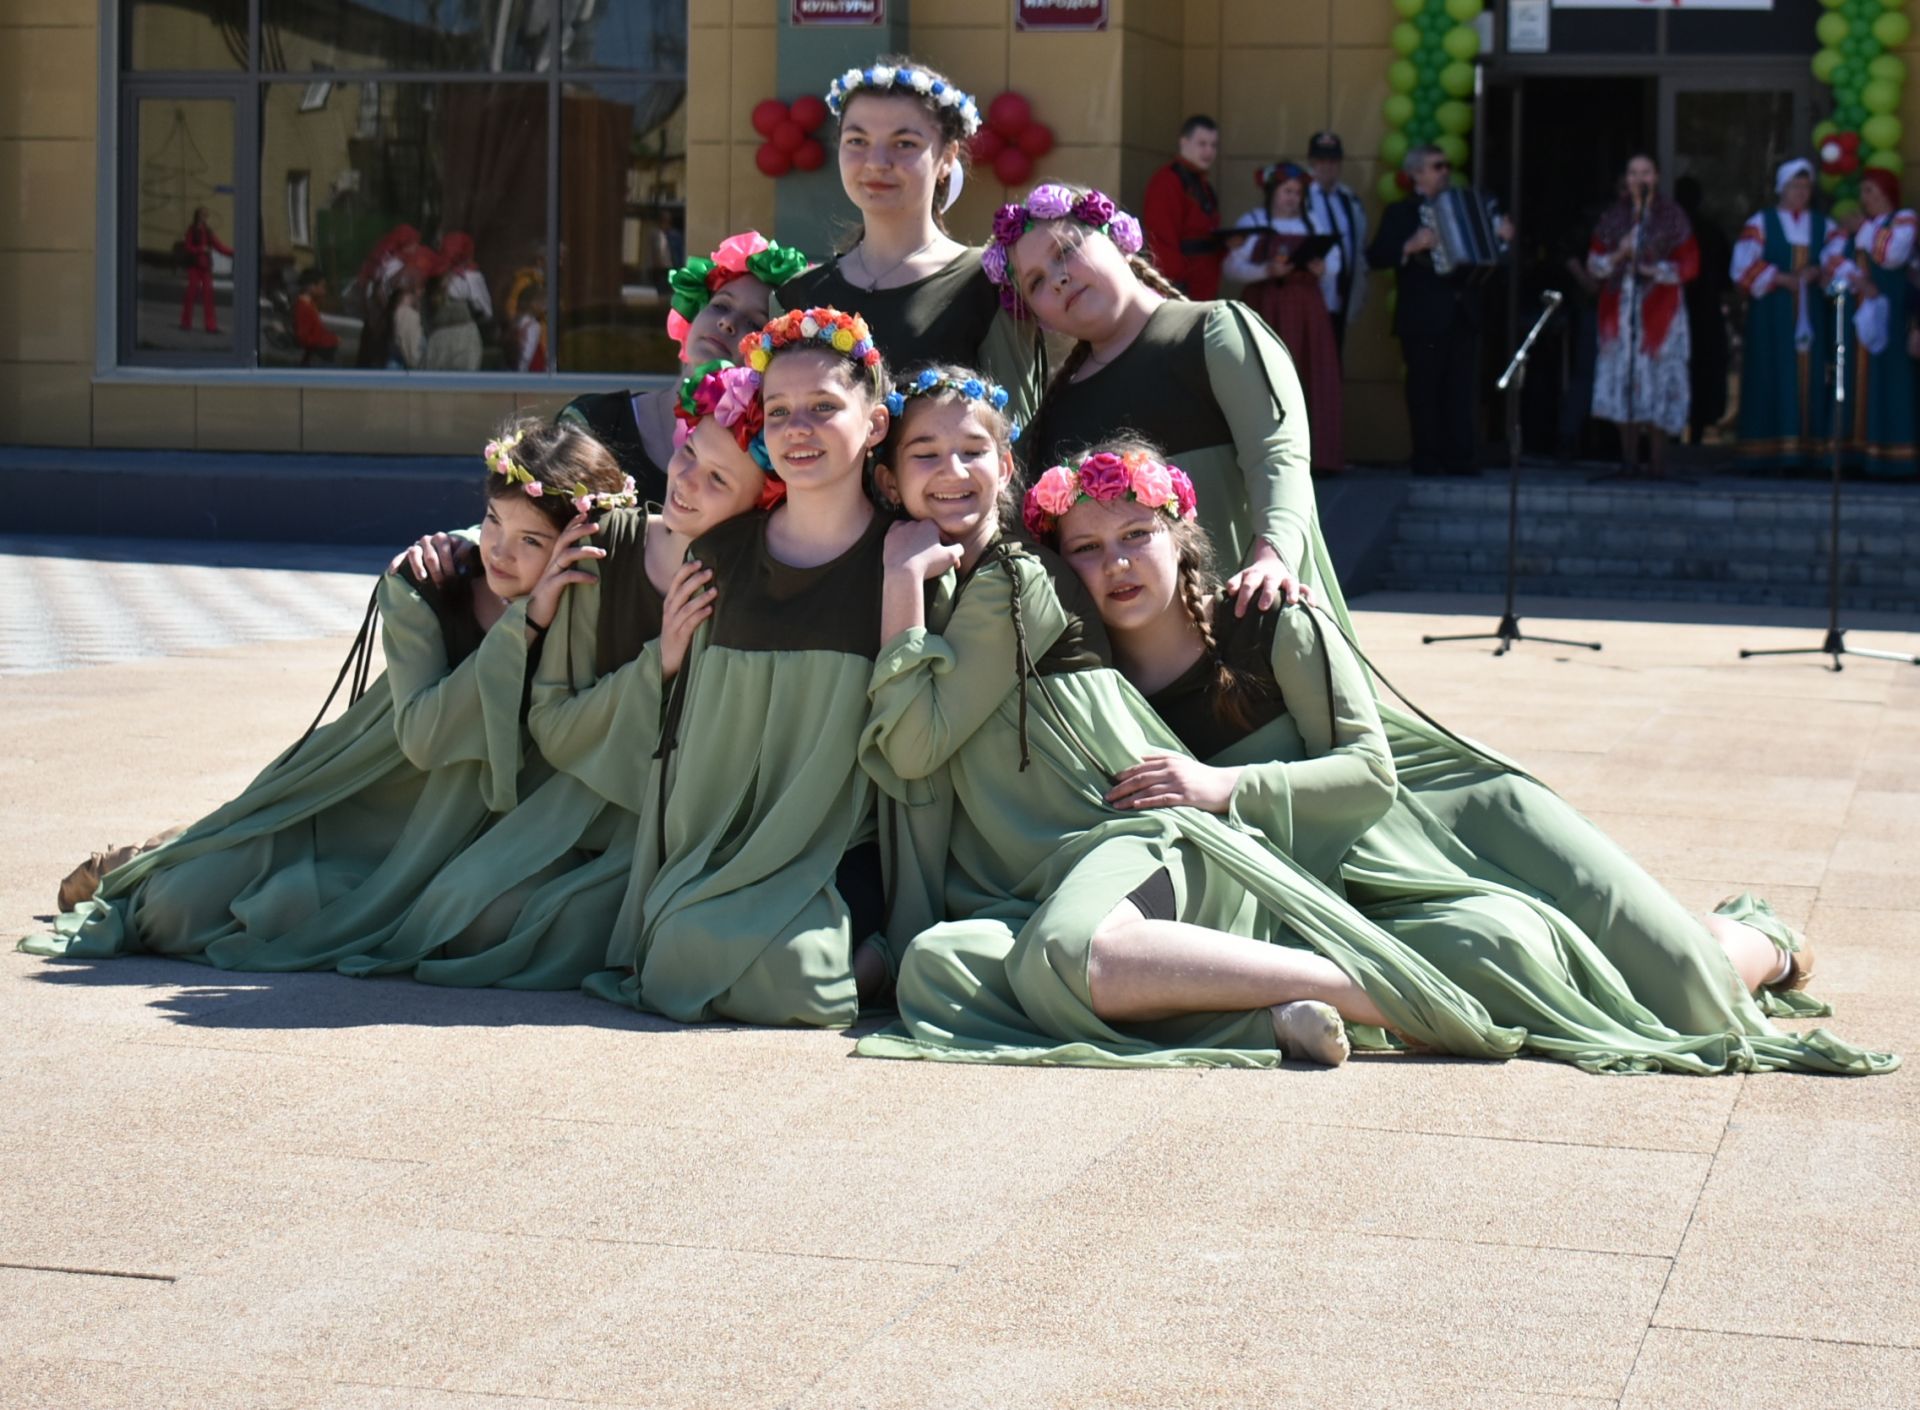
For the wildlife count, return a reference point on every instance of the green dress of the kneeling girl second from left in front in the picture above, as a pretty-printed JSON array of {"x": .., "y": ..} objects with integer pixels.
[{"x": 531, "y": 904}]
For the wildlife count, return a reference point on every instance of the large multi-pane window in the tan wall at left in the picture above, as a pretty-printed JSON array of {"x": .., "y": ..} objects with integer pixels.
[{"x": 402, "y": 185}]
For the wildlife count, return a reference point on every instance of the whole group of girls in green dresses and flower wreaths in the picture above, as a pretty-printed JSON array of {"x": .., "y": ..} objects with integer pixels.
[{"x": 884, "y": 708}]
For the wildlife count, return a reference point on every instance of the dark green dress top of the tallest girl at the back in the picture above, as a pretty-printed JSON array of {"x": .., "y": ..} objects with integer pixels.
[{"x": 953, "y": 316}]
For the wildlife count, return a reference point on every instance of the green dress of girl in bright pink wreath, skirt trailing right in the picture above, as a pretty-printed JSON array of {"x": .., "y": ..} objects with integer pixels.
[{"x": 1502, "y": 940}]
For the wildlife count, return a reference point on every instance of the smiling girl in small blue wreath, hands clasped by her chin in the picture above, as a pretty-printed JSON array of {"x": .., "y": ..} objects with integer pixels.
[{"x": 996, "y": 698}]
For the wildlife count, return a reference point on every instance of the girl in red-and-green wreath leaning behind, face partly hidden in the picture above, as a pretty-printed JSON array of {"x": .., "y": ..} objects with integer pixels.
[{"x": 717, "y": 301}]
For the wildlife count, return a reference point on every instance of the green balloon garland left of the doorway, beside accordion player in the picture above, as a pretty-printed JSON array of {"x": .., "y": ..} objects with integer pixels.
[{"x": 1431, "y": 84}]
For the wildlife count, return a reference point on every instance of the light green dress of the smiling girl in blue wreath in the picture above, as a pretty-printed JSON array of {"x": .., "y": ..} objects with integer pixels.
[{"x": 1007, "y": 706}]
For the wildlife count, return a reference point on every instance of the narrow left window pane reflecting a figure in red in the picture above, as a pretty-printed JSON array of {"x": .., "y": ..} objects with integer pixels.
[{"x": 185, "y": 226}]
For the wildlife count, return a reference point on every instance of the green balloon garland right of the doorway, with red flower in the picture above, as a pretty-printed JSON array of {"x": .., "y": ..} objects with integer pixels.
[{"x": 1865, "y": 130}]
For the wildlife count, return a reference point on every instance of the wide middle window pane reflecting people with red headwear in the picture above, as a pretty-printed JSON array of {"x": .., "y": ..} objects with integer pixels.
[{"x": 418, "y": 205}]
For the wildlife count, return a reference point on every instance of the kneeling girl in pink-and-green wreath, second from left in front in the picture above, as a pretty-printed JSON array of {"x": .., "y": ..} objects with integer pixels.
[{"x": 533, "y": 902}]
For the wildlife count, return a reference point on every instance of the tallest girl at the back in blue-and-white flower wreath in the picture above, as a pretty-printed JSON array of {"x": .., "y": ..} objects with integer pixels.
[{"x": 901, "y": 135}]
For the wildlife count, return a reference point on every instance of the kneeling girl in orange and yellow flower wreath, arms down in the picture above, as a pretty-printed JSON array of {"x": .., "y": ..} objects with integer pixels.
[{"x": 757, "y": 887}]
